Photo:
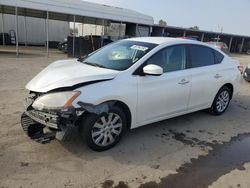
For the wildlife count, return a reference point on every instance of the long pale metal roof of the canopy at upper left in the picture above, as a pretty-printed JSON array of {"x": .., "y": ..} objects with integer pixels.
[{"x": 86, "y": 12}]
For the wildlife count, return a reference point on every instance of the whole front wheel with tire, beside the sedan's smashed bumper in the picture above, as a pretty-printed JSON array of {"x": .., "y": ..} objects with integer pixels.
[{"x": 97, "y": 131}]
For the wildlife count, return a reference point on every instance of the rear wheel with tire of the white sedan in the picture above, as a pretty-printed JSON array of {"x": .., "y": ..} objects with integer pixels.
[{"x": 221, "y": 101}]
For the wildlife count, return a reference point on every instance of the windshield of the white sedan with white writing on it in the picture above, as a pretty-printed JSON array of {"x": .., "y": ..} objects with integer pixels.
[{"x": 119, "y": 55}]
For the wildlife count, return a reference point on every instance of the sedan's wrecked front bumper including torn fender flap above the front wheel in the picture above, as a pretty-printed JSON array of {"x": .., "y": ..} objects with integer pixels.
[{"x": 46, "y": 125}]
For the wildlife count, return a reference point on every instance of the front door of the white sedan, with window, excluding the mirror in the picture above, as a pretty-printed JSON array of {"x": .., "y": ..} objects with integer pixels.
[{"x": 168, "y": 94}]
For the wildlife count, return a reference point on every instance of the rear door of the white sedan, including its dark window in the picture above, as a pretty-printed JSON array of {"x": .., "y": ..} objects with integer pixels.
[{"x": 207, "y": 76}]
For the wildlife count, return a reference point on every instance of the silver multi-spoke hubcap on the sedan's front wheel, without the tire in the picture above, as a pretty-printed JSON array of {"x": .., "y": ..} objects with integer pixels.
[{"x": 107, "y": 129}]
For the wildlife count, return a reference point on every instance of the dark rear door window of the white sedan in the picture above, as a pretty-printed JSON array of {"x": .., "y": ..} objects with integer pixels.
[{"x": 201, "y": 56}]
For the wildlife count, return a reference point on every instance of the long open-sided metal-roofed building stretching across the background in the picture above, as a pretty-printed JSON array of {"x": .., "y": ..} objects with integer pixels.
[{"x": 37, "y": 22}]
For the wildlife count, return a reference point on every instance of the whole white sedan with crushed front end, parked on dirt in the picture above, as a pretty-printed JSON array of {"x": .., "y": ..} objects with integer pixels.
[{"x": 128, "y": 84}]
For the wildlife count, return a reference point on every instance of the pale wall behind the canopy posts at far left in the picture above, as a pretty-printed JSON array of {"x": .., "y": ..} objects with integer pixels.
[{"x": 36, "y": 30}]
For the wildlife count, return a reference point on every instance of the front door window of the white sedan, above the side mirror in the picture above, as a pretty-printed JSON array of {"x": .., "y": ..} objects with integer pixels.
[{"x": 170, "y": 59}]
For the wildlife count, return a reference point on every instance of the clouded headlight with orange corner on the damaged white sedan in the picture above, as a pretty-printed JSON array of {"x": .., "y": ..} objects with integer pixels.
[{"x": 55, "y": 101}]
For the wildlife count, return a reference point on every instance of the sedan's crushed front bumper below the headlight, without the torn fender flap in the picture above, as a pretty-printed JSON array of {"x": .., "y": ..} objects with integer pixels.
[{"x": 44, "y": 126}]
